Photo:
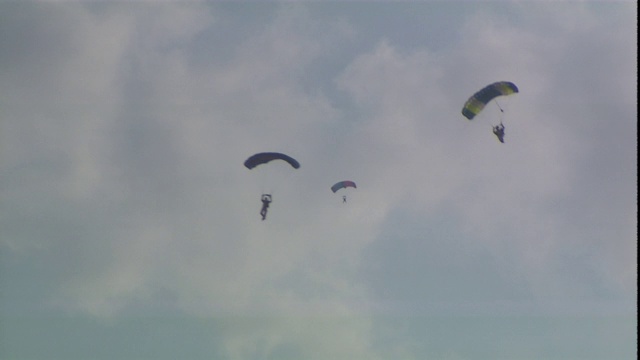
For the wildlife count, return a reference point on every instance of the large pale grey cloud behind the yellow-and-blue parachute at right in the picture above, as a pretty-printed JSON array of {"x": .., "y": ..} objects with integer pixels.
[{"x": 511, "y": 197}]
